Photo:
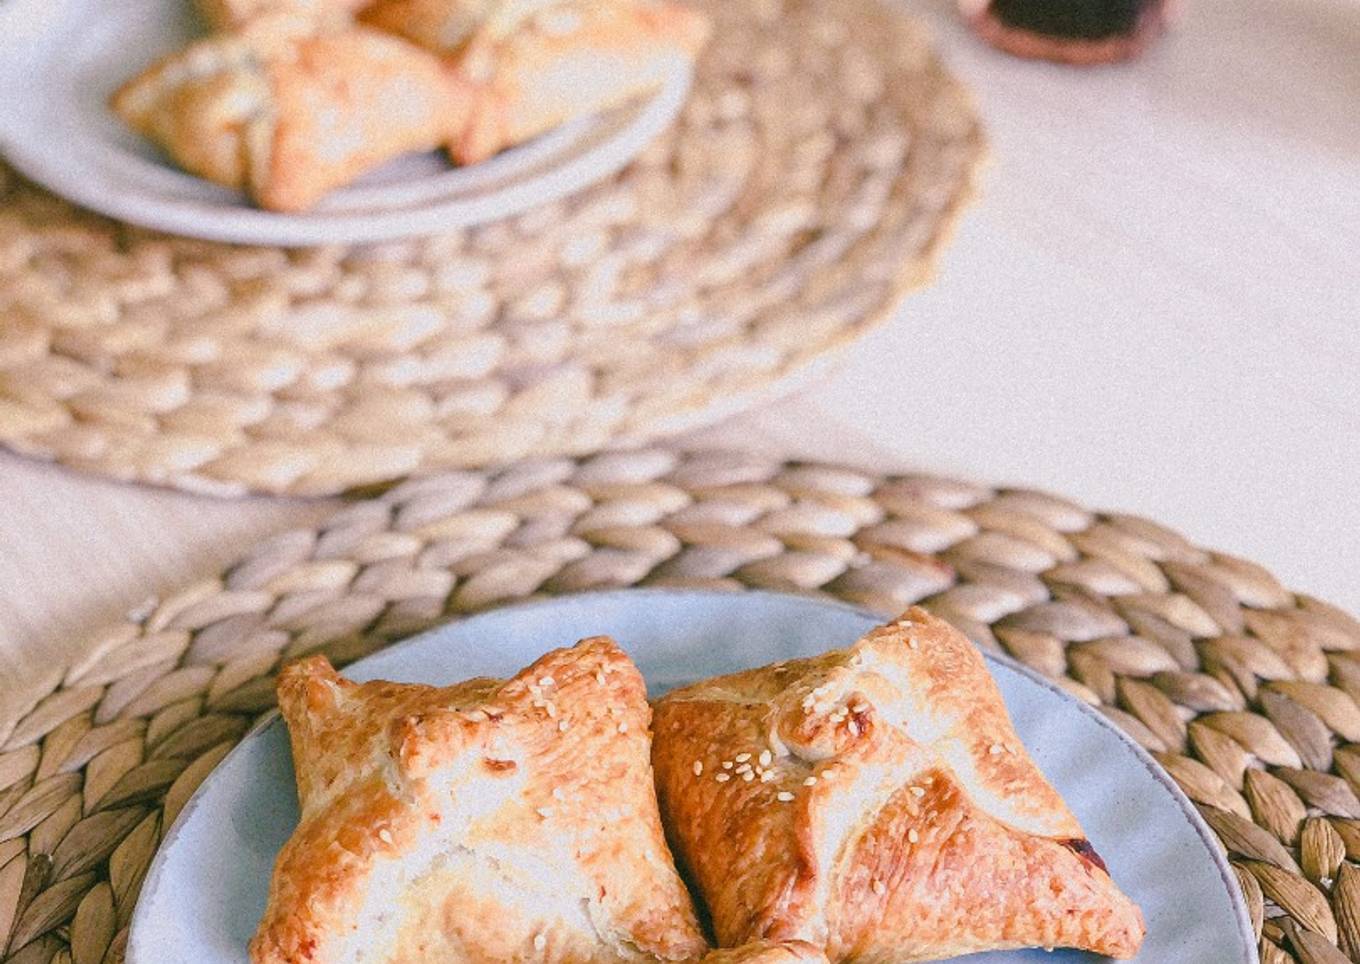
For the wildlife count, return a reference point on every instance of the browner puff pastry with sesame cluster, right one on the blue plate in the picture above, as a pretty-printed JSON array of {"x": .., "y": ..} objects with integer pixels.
[{"x": 877, "y": 802}]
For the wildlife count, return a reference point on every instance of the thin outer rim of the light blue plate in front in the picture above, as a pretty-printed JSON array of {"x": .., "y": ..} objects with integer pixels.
[{"x": 274, "y": 719}]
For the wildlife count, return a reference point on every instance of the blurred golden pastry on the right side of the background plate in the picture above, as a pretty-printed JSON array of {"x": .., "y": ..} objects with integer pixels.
[{"x": 571, "y": 59}]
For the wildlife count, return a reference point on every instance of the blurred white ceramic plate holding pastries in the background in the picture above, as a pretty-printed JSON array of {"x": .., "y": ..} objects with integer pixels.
[{"x": 62, "y": 59}]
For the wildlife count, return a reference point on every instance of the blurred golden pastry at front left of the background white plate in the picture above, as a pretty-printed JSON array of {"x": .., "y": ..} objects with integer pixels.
[{"x": 288, "y": 112}]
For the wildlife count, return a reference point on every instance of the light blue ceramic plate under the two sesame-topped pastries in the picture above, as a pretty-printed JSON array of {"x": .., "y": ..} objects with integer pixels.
[{"x": 206, "y": 890}]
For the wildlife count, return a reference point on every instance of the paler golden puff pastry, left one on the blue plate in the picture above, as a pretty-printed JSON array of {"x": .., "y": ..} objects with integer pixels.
[{"x": 486, "y": 822}]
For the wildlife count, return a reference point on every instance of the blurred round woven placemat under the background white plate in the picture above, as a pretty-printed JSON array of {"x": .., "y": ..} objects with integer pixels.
[{"x": 809, "y": 186}]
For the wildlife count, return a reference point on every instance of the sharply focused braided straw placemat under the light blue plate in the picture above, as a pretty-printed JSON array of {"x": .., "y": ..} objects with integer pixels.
[{"x": 1245, "y": 691}]
